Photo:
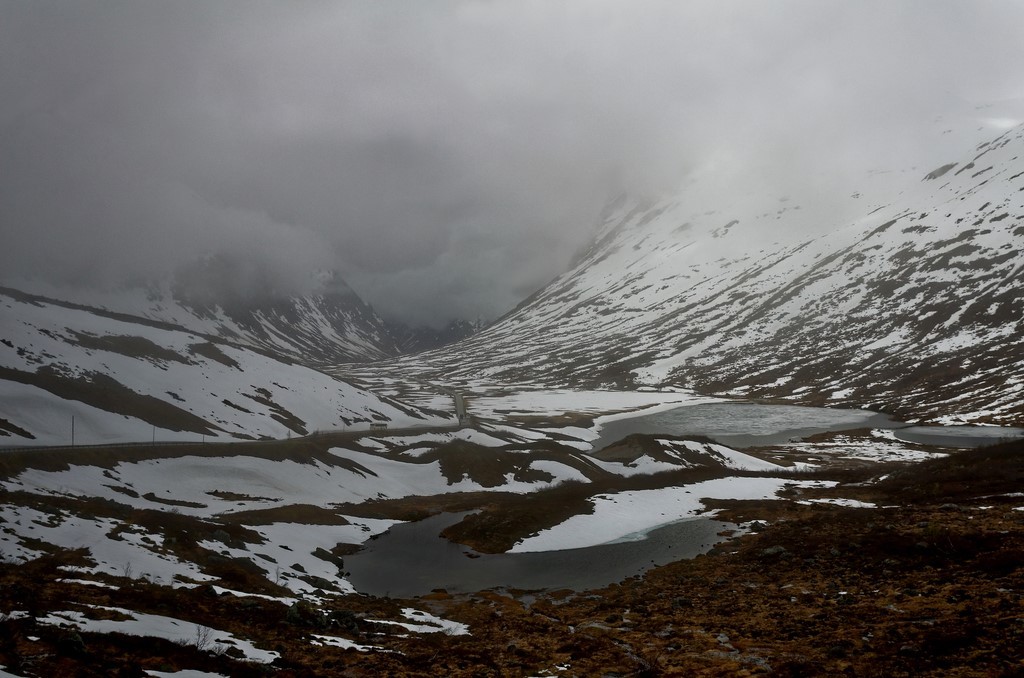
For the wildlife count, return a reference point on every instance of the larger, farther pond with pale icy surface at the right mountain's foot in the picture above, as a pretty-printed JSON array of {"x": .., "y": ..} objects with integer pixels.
[{"x": 744, "y": 425}]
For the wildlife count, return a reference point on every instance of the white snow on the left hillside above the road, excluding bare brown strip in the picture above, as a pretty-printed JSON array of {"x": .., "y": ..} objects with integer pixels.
[{"x": 253, "y": 386}]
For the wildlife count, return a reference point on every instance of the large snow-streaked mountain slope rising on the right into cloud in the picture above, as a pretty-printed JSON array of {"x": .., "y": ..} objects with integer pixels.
[{"x": 917, "y": 308}]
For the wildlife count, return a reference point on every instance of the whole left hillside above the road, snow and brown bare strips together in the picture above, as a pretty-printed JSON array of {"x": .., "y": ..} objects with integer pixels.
[{"x": 126, "y": 380}]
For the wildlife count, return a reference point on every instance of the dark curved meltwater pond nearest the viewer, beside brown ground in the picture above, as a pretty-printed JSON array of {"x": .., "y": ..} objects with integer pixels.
[{"x": 413, "y": 560}]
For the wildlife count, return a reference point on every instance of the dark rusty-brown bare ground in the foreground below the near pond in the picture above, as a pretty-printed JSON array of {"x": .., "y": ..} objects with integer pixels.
[{"x": 930, "y": 587}]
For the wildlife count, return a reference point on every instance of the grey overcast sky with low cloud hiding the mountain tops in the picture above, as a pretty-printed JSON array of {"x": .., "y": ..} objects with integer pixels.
[{"x": 448, "y": 158}]
